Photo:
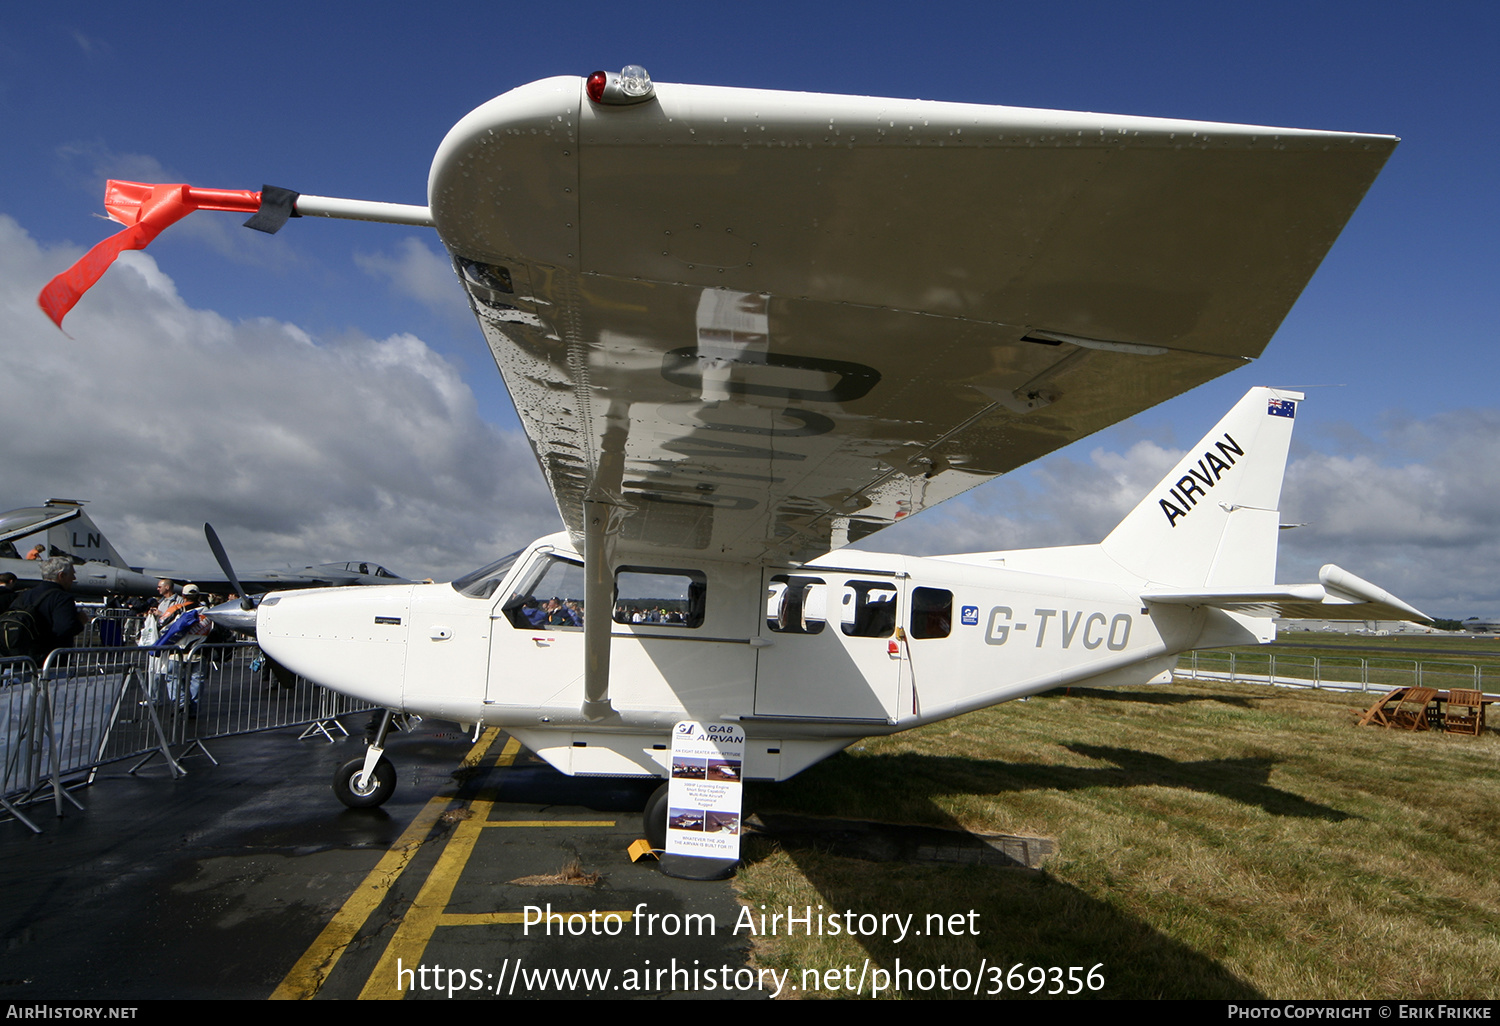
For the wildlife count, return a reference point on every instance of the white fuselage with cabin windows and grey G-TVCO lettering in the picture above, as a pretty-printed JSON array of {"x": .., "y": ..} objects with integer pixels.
[{"x": 806, "y": 659}]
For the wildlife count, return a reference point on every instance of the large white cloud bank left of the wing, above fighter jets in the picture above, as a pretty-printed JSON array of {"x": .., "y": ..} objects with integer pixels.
[{"x": 296, "y": 449}]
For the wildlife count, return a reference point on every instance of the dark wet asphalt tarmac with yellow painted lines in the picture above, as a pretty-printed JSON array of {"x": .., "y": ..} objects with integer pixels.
[{"x": 248, "y": 881}]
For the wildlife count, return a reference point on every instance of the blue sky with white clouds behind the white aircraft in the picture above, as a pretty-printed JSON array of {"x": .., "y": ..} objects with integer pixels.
[{"x": 353, "y": 101}]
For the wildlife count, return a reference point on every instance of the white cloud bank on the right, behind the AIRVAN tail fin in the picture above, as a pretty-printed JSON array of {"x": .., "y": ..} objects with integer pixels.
[{"x": 1415, "y": 509}]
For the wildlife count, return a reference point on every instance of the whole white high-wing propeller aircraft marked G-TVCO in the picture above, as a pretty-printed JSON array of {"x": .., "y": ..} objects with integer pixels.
[{"x": 745, "y": 329}]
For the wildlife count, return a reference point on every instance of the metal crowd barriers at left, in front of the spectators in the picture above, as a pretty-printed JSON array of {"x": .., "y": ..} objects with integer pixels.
[{"x": 89, "y": 707}]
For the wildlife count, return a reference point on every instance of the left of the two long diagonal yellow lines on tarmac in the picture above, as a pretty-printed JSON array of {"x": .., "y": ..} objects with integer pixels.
[{"x": 319, "y": 961}]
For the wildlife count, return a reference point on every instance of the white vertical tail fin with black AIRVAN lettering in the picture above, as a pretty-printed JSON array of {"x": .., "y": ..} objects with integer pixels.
[{"x": 1214, "y": 520}]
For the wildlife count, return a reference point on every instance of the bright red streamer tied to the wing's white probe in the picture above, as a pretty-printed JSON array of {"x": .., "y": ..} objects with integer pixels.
[{"x": 146, "y": 211}]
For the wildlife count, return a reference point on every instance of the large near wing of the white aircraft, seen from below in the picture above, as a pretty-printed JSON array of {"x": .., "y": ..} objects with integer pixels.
[{"x": 766, "y": 325}]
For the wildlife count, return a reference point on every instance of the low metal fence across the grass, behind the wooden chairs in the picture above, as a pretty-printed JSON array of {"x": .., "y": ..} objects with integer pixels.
[{"x": 1334, "y": 673}]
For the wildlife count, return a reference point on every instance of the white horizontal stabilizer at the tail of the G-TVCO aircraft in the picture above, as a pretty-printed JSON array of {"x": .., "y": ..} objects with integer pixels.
[{"x": 1337, "y": 596}]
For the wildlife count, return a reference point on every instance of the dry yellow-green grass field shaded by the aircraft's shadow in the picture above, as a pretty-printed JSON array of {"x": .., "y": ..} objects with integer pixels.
[{"x": 1214, "y": 842}]
